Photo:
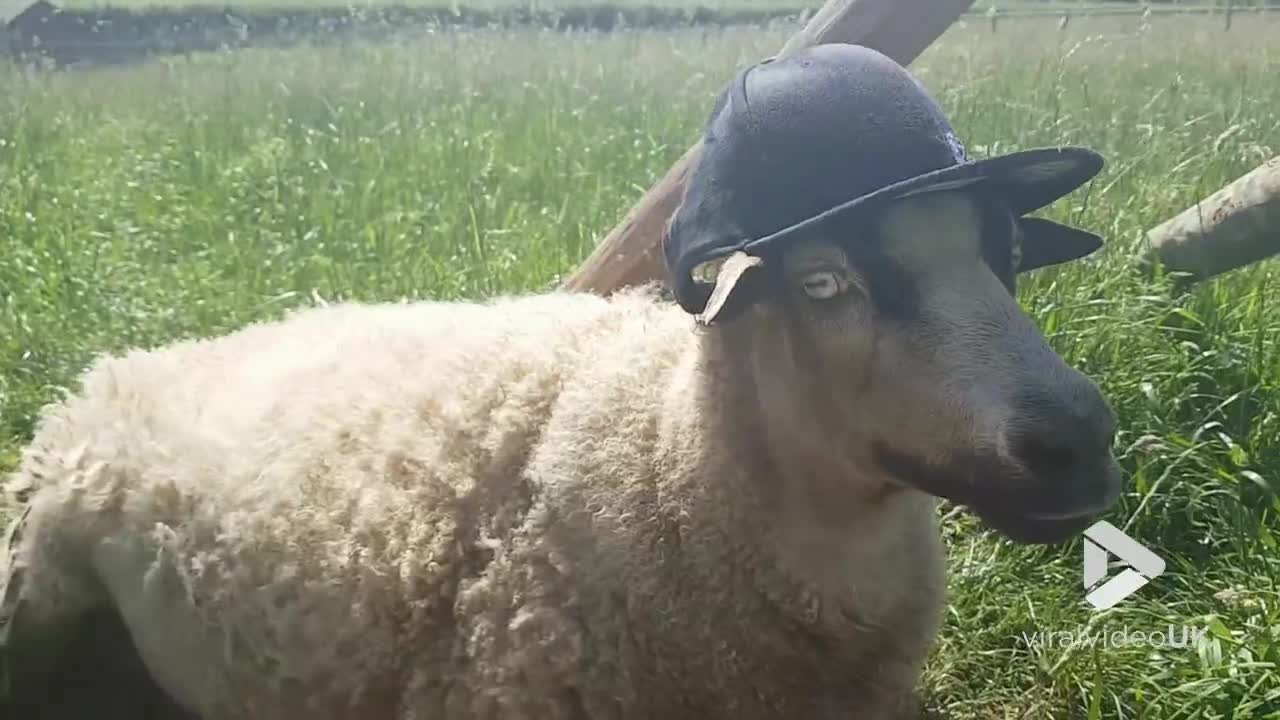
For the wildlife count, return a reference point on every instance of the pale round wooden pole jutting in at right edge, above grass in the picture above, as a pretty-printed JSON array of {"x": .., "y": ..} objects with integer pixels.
[{"x": 1235, "y": 227}]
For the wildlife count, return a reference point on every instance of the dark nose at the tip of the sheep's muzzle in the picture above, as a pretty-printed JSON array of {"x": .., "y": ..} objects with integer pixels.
[{"x": 1064, "y": 440}]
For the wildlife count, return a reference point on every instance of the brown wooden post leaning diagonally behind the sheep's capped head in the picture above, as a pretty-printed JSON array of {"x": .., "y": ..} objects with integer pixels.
[{"x": 632, "y": 253}]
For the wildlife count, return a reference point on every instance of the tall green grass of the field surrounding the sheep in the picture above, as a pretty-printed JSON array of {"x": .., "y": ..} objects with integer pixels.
[{"x": 189, "y": 198}]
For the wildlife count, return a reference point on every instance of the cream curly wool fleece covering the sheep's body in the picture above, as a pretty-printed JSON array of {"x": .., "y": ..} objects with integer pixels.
[{"x": 534, "y": 508}]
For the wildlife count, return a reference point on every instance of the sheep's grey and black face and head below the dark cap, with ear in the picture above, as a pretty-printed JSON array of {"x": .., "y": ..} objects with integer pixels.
[{"x": 900, "y": 348}]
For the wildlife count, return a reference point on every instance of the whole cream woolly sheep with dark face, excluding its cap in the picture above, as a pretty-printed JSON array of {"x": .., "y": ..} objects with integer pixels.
[{"x": 554, "y": 505}]
